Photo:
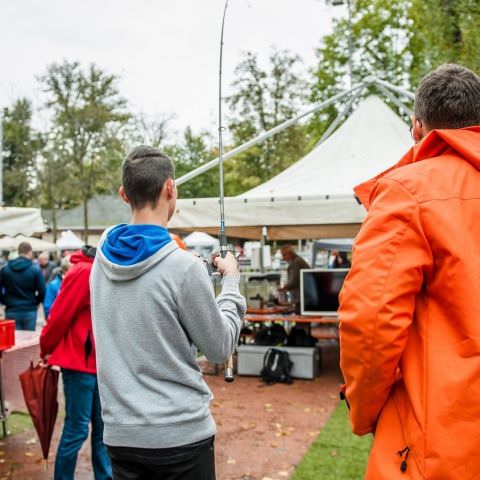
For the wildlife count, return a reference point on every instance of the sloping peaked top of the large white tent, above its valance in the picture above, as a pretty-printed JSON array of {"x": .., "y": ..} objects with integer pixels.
[{"x": 372, "y": 139}]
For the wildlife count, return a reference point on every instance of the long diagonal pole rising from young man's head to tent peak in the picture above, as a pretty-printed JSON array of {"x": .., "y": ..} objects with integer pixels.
[{"x": 263, "y": 136}]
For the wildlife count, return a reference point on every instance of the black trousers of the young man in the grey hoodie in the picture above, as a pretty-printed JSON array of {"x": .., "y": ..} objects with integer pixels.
[{"x": 195, "y": 461}]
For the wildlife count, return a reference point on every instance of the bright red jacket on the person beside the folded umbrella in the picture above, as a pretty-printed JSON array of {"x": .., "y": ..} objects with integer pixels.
[{"x": 68, "y": 335}]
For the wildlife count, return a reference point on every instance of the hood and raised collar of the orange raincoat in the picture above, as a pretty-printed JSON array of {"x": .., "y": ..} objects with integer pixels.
[{"x": 462, "y": 142}]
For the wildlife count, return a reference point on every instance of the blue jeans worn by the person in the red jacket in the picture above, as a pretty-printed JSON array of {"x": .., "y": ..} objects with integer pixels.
[{"x": 82, "y": 407}]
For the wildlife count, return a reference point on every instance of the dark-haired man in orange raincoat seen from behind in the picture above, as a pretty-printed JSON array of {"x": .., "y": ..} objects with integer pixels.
[{"x": 410, "y": 306}]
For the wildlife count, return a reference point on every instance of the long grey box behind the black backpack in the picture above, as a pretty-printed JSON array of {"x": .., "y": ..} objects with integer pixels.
[{"x": 306, "y": 360}]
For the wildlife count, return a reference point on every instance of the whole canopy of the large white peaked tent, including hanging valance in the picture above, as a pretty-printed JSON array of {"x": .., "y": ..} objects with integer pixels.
[{"x": 314, "y": 197}]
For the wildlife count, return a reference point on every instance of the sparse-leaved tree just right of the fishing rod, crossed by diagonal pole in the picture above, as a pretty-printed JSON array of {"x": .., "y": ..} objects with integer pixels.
[{"x": 262, "y": 100}]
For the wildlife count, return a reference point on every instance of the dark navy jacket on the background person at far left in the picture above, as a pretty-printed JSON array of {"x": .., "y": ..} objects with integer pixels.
[{"x": 22, "y": 285}]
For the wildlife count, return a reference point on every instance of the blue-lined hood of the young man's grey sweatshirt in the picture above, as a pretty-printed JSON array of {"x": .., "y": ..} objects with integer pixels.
[{"x": 128, "y": 251}]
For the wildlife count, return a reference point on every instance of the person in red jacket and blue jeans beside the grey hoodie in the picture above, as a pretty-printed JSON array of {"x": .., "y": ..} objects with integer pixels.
[{"x": 67, "y": 340}]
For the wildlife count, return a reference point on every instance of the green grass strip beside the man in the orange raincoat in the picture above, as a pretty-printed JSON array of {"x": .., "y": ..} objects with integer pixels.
[{"x": 336, "y": 454}]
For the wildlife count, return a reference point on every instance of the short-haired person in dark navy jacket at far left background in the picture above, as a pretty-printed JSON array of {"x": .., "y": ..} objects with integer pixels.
[{"x": 22, "y": 289}]
